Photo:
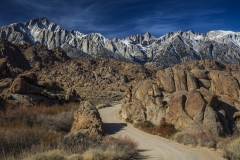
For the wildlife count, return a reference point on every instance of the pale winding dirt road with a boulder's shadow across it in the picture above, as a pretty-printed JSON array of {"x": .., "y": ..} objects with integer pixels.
[{"x": 151, "y": 146}]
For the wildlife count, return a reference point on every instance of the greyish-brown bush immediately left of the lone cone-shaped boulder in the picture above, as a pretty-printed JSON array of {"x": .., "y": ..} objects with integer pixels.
[{"x": 58, "y": 122}]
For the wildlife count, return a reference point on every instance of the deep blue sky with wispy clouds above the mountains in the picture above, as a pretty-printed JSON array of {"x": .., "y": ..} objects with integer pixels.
[{"x": 121, "y": 18}]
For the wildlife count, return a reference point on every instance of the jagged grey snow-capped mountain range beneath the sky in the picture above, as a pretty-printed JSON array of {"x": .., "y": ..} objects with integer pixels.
[{"x": 167, "y": 50}]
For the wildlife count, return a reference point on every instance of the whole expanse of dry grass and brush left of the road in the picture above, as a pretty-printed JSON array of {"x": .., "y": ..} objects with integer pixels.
[{"x": 39, "y": 133}]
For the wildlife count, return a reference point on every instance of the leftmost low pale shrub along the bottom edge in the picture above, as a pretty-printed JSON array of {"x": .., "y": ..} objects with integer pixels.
[{"x": 50, "y": 155}]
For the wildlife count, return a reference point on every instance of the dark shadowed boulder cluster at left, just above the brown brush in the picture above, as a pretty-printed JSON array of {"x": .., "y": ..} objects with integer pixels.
[{"x": 25, "y": 90}]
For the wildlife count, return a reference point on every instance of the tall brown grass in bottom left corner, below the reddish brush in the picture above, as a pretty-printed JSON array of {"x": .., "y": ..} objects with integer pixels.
[{"x": 22, "y": 138}]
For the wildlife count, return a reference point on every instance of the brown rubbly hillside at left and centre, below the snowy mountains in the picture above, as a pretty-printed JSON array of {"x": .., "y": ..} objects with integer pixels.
[{"x": 33, "y": 74}]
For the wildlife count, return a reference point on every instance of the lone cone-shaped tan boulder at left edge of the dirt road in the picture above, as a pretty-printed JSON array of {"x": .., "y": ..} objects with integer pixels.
[{"x": 87, "y": 121}]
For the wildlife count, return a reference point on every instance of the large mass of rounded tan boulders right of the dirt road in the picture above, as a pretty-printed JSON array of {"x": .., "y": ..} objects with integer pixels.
[{"x": 194, "y": 100}]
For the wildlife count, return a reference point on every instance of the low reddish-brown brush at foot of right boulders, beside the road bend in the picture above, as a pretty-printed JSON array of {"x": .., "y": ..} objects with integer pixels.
[{"x": 163, "y": 129}]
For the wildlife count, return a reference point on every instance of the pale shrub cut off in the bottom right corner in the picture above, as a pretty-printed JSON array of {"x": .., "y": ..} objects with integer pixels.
[{"x": 233, "y": 149}]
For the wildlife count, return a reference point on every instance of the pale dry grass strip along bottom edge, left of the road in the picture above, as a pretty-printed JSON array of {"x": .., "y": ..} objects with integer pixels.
[{"x": 107, "y": 149}]
